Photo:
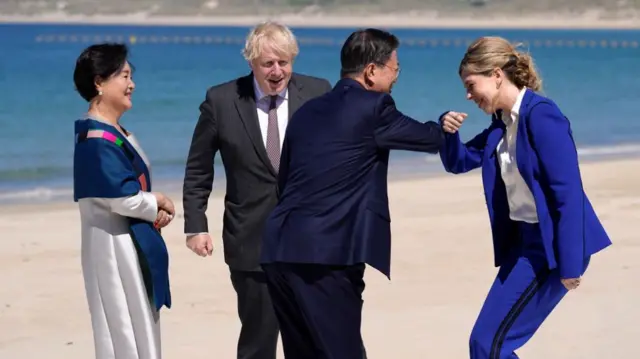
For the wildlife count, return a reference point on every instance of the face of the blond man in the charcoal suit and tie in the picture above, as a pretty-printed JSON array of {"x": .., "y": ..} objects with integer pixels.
[{"x": 272, "y": 70}]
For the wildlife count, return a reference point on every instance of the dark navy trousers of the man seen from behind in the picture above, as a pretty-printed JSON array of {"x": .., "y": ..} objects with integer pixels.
[{"x": 319, "y": 309}]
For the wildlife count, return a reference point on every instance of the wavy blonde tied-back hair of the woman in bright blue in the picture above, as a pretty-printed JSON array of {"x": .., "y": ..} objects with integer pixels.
[{"x": 488, "y": 53}]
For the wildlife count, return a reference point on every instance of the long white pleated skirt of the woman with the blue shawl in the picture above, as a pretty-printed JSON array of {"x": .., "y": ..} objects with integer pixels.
[{"x": 125, "y": 325}]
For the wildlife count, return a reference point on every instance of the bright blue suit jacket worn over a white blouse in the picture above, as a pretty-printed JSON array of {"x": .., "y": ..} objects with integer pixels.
[{"x": 547, "y": 159}]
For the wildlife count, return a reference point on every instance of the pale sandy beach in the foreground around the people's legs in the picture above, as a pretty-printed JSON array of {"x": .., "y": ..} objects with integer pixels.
[{"x": 441, "y": 270}]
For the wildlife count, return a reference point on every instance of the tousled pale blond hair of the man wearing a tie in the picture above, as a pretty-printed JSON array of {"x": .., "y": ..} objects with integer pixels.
[{"x": 273, "y": 34}]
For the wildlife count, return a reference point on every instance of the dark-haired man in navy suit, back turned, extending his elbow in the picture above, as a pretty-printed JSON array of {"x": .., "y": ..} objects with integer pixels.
[{"x": 333, "y": 212}]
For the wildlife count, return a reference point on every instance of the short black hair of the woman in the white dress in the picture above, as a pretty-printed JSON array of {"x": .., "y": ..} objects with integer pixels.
[{"x": 99, "y": 60}]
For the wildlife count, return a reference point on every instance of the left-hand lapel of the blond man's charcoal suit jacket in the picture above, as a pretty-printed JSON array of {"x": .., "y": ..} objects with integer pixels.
[{"x": 246, "y": 105}]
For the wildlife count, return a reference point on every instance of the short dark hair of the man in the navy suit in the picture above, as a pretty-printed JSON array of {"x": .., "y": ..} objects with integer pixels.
[{"x": 366, "y": 46}]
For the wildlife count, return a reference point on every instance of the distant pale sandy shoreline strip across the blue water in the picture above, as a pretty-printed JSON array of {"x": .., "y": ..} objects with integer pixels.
[{"x": 553, "y": 21}]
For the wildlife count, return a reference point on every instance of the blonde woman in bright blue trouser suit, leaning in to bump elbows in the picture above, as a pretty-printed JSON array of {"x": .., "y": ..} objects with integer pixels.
[{"x": 544, "y": 228}]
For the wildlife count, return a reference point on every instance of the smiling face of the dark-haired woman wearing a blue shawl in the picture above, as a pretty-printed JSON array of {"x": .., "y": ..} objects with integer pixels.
[{"x": 117, "y": 90}]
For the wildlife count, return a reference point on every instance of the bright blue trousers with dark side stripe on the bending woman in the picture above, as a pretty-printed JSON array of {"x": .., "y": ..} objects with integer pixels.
[{"x": 522, "y": 296}]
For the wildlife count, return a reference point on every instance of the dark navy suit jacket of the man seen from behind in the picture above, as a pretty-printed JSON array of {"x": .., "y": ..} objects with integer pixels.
[{"x": 333, "y": 207}]
